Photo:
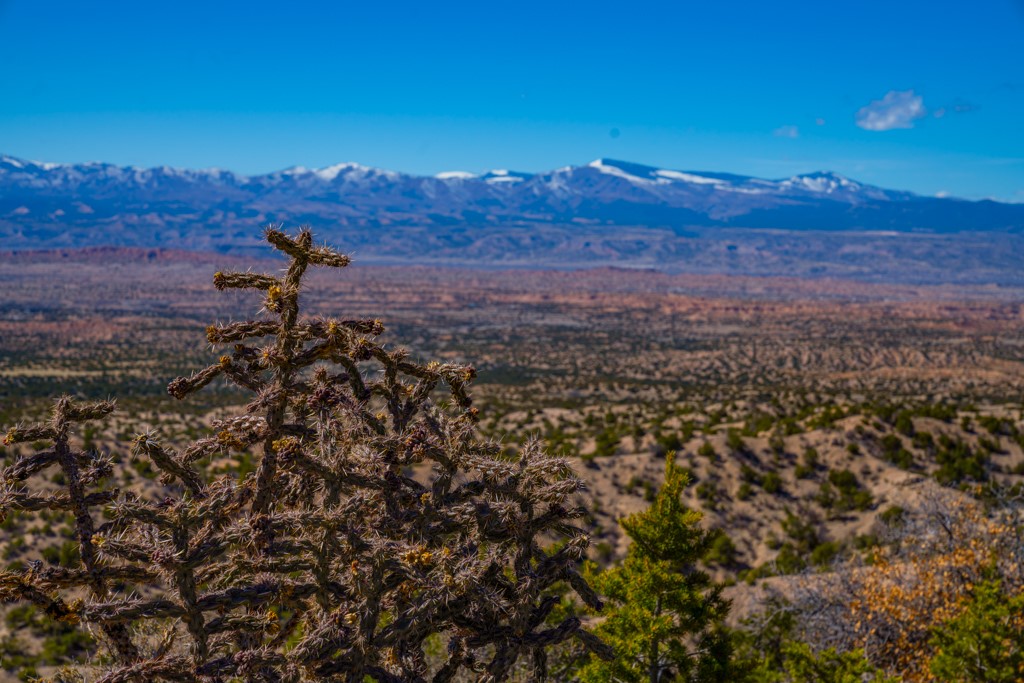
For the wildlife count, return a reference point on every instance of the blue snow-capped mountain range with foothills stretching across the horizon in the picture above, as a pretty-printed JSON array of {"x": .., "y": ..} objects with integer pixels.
[{"x": 608, "y": 211}]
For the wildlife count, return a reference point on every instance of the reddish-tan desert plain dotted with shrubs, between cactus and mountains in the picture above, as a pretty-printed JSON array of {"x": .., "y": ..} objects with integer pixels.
[{"x": 611, "y": 366}]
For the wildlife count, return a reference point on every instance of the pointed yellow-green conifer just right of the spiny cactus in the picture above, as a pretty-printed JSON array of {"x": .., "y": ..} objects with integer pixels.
[{"x": 664, "y": 616}]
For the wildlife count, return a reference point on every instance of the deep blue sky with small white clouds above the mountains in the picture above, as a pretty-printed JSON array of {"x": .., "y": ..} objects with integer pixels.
[{"x": 927, "y": 97}]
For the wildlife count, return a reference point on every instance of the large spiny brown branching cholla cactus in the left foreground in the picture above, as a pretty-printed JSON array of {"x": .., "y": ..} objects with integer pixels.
[{"x": 375, "y": 522}]
